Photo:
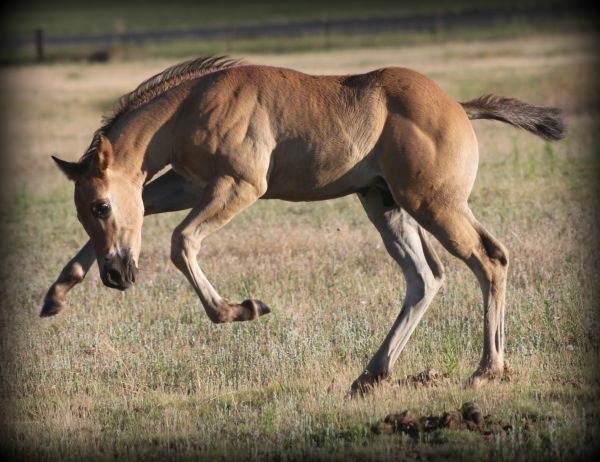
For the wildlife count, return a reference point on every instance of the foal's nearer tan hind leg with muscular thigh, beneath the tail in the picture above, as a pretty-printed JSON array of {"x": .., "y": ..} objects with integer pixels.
[{"x": 430, "y": 172}]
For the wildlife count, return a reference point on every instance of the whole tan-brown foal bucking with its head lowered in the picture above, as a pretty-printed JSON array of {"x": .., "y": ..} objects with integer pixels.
[{"x": 236, "y": 133}]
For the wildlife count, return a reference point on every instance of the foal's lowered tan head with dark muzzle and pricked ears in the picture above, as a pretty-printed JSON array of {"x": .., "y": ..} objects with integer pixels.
[{"x": 110, "y": 208}]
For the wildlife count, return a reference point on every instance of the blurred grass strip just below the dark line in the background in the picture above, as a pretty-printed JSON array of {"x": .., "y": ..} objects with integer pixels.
[{"x": 181, "y": 49}]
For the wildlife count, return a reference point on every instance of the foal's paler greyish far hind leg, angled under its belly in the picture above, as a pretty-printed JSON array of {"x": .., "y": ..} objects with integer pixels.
[{"x": 406, "y": 243}]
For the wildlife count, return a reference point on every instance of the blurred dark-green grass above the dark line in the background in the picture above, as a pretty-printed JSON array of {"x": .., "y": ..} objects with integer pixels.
[{"x": 95, "y": 17}]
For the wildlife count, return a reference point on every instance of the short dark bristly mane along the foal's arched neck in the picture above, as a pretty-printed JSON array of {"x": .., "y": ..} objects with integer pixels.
[{"x": 160, "y": 83}]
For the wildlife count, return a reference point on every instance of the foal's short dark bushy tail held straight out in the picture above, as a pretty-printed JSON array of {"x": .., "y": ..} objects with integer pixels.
[{"x": 545, "y": 122}]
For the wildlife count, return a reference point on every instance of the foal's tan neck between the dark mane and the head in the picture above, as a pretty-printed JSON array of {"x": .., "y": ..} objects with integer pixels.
[{"x": 142, "y": 138}]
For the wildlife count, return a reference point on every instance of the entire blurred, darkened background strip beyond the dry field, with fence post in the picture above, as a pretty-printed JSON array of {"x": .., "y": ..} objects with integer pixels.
[{"x": 106, "y": 30}]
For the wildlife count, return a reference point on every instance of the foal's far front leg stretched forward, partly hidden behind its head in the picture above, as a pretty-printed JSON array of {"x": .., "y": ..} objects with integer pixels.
[{"x": 168, "y": 193}]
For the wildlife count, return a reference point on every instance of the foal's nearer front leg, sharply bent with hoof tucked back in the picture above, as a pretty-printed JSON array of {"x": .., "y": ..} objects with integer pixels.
[{"x": 221, "y": 201}]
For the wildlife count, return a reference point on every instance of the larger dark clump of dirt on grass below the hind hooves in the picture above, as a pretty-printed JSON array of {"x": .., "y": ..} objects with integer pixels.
[{"x": 469, "y": 417}]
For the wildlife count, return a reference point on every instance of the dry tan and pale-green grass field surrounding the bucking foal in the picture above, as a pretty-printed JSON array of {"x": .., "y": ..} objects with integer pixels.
[{"x": 145, "y": 375}]
